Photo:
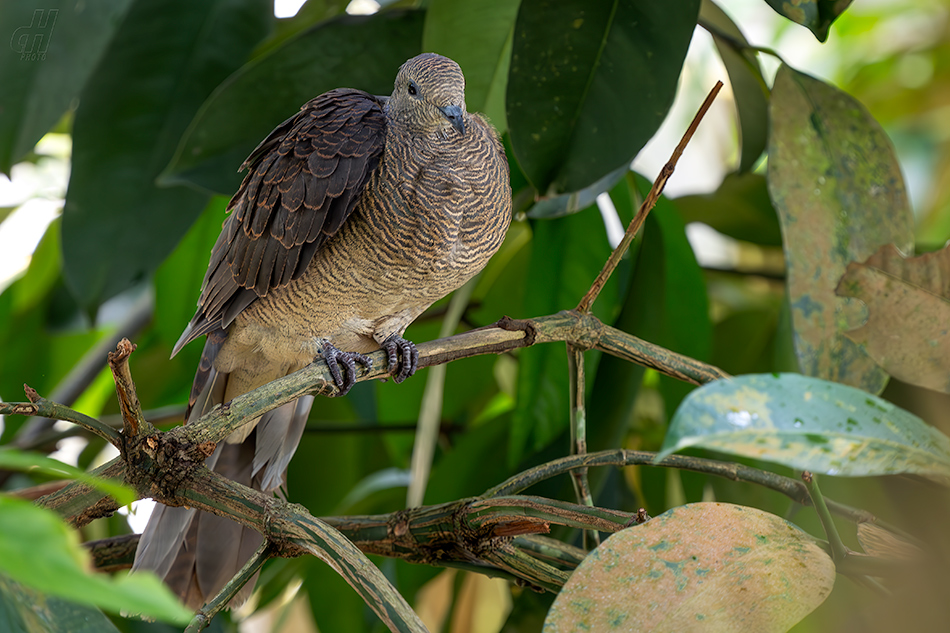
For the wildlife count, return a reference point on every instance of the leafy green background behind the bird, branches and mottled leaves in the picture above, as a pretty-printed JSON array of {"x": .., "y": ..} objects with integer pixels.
[{"x": 122, "y": 147}]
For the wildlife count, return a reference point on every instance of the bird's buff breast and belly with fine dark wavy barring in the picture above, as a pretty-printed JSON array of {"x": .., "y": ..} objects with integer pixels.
[{"x": 429, "y": 219}]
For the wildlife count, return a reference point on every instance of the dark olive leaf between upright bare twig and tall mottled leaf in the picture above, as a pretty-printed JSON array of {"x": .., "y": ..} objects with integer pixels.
[{"x": 739, "y": 208}]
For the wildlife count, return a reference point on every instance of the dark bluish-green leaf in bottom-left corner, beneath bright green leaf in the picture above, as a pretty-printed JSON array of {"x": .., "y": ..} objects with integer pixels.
[{"x": 25, "y": 610}]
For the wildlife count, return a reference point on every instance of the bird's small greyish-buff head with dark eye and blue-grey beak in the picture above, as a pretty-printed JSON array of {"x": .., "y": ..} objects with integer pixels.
[{"x": 429, "y": 95}]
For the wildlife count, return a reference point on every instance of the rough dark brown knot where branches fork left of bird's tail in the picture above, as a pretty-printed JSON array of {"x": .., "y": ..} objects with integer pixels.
[{"x": 160, "y": 464}]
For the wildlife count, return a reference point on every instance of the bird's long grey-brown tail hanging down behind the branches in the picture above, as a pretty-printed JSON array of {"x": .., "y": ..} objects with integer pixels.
[{"x": 196, "y": 552}]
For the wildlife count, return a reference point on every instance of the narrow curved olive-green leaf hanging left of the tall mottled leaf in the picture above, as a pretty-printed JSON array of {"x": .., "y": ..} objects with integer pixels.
[{"x": 748, "y": 86}]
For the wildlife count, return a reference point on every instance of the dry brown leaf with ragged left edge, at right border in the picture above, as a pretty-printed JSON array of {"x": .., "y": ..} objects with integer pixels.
[{"x": 908, "y": 304}]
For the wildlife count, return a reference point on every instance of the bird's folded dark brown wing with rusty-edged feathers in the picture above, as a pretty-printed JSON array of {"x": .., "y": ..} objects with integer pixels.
[{"x": 303, "y": 181}]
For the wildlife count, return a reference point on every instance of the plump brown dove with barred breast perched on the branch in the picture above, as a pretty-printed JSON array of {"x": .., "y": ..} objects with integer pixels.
[{"x": 355, "y": 215}]
